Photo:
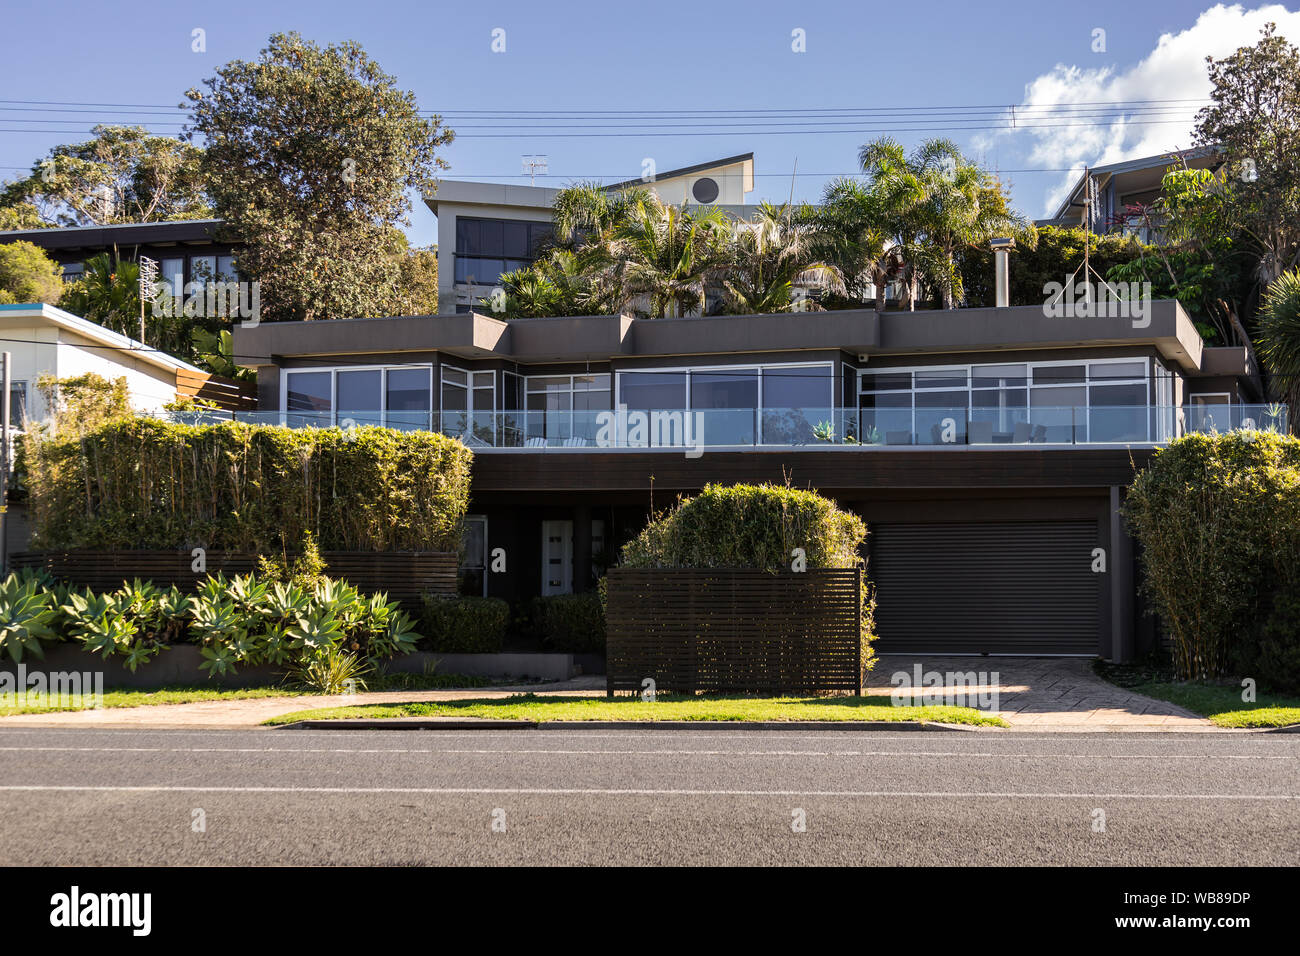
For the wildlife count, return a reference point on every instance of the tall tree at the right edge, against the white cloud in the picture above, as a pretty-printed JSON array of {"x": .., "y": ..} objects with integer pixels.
[{"x": 1255, "y": 120}]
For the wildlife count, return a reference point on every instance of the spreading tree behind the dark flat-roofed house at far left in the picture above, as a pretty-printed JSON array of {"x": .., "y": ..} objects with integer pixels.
[{"x": 124, "y": 175}]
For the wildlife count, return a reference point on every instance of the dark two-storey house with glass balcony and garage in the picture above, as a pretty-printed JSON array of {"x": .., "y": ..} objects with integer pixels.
[{"x": 989, "y": 449}]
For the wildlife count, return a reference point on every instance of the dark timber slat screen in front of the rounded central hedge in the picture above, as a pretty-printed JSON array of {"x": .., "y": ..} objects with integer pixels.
[{"x": 734, "y": 631}]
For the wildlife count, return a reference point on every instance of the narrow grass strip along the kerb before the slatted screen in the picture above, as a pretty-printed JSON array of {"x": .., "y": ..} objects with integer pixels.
[{"x": 532, "y": 708}]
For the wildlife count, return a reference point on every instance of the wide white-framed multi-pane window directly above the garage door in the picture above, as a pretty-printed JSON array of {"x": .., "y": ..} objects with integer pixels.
[{"x": 1060, "y": 403}]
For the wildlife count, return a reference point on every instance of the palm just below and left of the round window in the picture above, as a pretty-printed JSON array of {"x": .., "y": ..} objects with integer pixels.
[{"x": 668, "y": 256}]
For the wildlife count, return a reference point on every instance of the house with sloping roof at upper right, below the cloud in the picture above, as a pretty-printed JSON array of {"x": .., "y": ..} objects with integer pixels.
[{"x": 1123, "y": 191}]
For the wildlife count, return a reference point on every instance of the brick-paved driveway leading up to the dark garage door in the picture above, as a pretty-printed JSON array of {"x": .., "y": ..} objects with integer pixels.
[{"x": 1050, "y": 694}]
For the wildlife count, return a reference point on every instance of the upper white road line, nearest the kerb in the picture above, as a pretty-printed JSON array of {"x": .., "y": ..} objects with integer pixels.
[{"x": 655, "y": 754}]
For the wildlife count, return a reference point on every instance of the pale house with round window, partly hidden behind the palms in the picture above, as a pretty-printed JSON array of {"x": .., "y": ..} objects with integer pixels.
[{"x": 489, "y": 228}]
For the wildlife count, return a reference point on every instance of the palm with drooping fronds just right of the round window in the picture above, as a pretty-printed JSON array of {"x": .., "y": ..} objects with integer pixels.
[{"x": 770, "y": 258}]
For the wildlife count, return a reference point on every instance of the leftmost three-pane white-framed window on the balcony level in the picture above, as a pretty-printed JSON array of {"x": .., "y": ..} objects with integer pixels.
[{"x": 397, "y": 397}]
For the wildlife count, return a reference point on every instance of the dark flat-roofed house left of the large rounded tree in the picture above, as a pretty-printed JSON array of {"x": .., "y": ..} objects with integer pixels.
[{"x": 187, "y": 252}]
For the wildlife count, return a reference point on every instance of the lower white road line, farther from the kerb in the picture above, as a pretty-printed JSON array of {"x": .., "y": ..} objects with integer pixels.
[{"x": 612, "y": 791}]
